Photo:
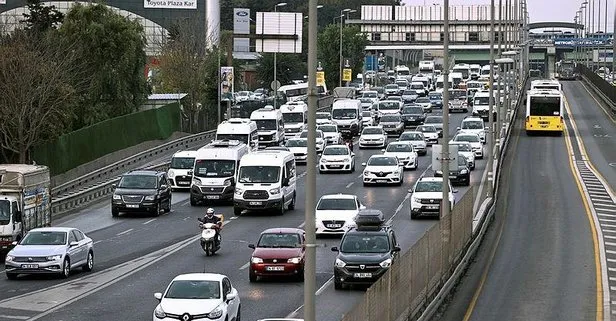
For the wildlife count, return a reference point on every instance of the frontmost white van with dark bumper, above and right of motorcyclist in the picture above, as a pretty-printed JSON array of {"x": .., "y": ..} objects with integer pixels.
[{"x": 266, "y": 180}]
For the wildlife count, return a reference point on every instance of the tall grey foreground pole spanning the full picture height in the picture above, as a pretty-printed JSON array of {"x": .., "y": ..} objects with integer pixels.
[{"x": 310, "y": 278}]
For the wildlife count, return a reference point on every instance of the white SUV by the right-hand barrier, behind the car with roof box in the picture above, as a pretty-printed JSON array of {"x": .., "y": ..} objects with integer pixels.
[{"x": 426, "y": 197}]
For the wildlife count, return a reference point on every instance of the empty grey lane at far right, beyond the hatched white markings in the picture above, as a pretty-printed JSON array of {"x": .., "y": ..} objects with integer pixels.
[{"x": 596, "y": 130}]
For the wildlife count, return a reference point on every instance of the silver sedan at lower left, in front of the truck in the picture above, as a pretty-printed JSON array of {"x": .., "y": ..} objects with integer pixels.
[{"x": 50, "y": 250}]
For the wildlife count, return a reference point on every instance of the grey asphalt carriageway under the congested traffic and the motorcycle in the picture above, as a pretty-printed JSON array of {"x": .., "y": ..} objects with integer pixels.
[{"x": 137, "y": 256}]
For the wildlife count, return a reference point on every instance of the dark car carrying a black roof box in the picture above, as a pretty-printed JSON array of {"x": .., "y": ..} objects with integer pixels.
[{"x": 366, "y": 252}]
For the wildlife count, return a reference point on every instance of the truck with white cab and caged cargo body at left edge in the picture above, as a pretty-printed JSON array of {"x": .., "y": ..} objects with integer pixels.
[{"x": 25, "y": 201}]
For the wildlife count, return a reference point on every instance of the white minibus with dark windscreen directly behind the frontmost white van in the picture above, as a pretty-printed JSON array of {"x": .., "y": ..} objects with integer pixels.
[{"x": 270, "y": 126}]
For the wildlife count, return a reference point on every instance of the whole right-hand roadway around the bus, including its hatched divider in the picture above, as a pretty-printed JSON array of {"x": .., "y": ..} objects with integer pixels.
[{"x": 541, "y": 260}]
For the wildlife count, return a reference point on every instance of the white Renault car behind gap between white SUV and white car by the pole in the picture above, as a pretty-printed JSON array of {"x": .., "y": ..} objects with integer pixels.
[{"x": 381, "y": 169}]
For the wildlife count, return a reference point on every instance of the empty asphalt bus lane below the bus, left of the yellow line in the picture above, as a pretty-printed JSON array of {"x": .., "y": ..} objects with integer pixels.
[{"x": 537, "y": 261}]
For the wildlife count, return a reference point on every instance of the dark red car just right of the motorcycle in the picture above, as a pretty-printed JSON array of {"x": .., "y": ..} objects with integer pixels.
[{"x": 279, "y": 252}]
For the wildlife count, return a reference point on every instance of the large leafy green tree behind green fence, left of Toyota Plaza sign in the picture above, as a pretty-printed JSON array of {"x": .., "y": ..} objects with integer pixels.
[{"x": 114, "y": 47}]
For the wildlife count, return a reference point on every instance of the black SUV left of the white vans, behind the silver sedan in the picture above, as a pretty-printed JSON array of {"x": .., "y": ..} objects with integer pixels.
[{"x": 142, "y": 191}]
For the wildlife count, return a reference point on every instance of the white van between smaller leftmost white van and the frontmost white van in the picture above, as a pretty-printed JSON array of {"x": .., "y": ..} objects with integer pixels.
[{"x": 214, "y": 171}]
